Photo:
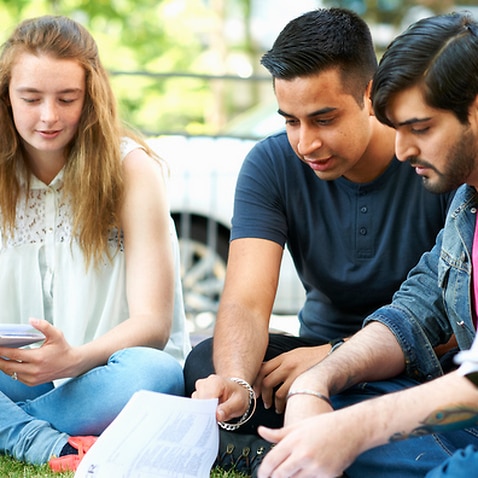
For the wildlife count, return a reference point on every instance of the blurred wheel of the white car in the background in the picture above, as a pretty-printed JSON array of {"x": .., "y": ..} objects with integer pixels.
[{"x": 203, "y": 246}]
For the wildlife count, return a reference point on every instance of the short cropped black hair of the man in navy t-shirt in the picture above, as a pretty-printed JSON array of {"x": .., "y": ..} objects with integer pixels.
[{"x": 324, "y": 39}]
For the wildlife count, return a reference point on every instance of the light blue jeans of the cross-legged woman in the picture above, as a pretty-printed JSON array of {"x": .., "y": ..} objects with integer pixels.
[{"x": 35, "y": 422}]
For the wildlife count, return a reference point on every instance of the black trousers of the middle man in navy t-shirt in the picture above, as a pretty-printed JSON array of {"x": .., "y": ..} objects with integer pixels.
[{"x": 199, "y": 365}]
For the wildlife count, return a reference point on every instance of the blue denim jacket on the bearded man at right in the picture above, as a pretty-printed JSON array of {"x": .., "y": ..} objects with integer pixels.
[{"x": 435, "y": 300}]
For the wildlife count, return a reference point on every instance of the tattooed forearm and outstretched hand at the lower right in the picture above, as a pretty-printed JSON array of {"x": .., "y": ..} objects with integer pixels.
[{"x": 327, "y": 444}]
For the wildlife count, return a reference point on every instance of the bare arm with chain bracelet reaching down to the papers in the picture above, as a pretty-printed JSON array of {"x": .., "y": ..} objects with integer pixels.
[{"x": 242, "y": 324}]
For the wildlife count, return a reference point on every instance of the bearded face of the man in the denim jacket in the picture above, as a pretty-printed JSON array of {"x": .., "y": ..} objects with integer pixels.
[{"x": 440, "y": 148}]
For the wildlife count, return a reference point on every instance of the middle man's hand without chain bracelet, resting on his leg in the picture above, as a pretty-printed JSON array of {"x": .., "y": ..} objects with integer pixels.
[{"x": 282, "y": 370}]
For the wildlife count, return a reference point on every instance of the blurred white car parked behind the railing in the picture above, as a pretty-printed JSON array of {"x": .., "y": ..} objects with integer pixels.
[{"x": 203, "y": 173}]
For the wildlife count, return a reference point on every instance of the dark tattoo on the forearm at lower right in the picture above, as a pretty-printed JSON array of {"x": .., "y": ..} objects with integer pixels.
[{"x": 442, "y": 421}]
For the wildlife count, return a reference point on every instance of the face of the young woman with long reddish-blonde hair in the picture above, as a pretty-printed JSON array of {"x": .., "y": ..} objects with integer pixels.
[{"x": 46, "y": 96}]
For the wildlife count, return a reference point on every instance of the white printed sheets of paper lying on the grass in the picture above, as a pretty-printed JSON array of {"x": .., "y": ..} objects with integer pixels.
[{"x": 156, "y": 436}]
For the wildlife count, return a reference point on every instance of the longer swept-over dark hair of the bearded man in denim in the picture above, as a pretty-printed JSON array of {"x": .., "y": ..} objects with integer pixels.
[{"x": 438, "y": 53}]
